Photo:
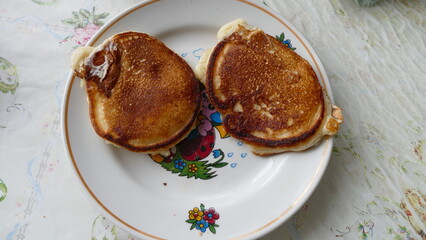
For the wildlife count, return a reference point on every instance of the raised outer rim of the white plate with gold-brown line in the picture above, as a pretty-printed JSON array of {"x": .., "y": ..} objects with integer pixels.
[{"x": 267, "y": 227}]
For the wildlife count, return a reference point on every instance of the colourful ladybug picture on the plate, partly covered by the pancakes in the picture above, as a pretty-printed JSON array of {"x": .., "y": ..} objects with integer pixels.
[{"x": 189, "y": 157}]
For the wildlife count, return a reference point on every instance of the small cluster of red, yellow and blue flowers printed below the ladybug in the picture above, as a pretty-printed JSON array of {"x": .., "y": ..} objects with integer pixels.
[{"x": 203, "y": 219}]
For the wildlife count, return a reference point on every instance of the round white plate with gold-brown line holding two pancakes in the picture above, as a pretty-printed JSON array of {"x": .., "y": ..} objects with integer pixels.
[{"x": 252, "y": 195}]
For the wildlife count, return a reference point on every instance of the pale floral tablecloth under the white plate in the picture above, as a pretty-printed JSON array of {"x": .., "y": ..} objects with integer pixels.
[{"x": 375, "y": 57}]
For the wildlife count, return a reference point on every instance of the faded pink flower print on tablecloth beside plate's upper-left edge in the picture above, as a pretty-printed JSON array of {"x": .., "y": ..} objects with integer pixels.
[{"x": 86, "y": 23}]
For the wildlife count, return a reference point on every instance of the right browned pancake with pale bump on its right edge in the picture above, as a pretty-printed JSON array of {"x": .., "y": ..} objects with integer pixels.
[{"x": 268, "y": 96}]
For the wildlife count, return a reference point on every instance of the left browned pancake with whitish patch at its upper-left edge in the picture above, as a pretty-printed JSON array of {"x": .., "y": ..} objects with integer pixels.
[{"x": 142, "y": 96}]
